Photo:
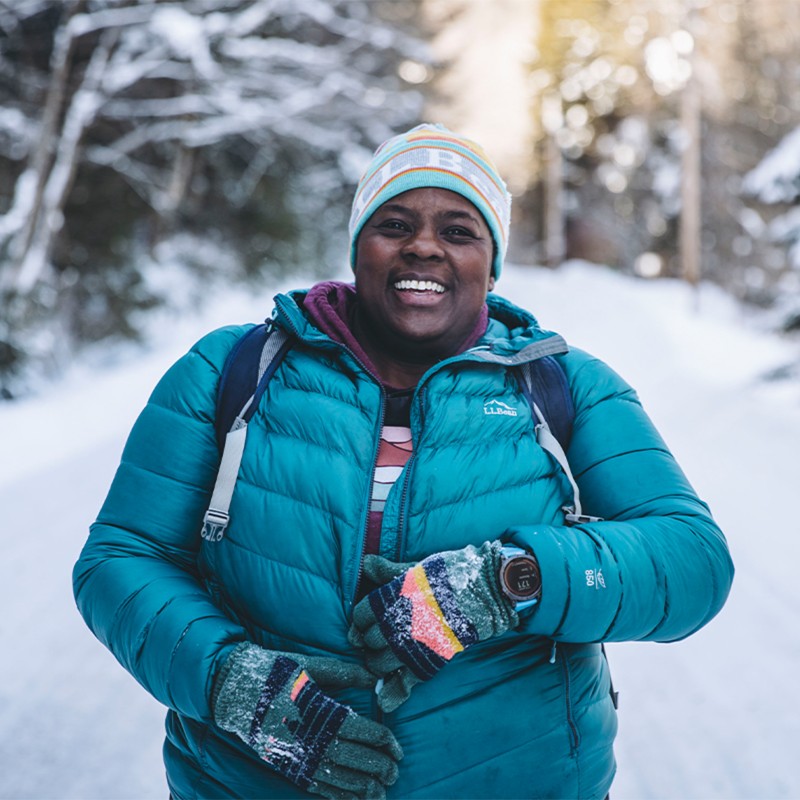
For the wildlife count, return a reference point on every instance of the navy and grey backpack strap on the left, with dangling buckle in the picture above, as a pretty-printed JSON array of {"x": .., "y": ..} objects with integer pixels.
[{"x": 244, "y": 378}]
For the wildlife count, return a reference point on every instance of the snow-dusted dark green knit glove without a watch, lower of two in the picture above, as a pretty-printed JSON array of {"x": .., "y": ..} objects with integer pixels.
[{"x": 269, "y": 700}]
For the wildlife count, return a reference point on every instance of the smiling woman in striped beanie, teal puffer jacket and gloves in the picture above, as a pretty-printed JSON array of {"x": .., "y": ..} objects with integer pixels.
[{"x": 398, "y": 606}]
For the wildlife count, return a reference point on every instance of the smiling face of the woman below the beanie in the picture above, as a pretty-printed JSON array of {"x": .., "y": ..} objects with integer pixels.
[{"x": 423, "y": 264}]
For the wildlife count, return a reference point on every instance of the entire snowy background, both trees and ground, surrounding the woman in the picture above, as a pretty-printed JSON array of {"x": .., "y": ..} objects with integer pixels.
[{"x": 165, "y": 167}]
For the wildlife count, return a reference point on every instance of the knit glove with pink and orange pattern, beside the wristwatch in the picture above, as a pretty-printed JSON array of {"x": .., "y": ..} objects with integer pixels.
[{"x": 411, "y": 626}]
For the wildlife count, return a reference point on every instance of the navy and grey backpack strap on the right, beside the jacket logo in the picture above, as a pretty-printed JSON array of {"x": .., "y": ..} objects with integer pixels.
[{"x": 546, "y": 388}]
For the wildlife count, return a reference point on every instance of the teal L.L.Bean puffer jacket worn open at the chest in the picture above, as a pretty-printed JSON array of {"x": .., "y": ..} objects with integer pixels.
[{"x": 527, "y": 714}]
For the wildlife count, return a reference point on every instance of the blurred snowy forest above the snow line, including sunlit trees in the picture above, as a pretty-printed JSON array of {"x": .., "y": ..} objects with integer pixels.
[{"x": 152, "y": 152}]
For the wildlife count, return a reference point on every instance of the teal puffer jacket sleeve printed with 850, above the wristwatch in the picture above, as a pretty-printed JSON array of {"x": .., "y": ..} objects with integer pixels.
[{"x": 658, "y": 567}]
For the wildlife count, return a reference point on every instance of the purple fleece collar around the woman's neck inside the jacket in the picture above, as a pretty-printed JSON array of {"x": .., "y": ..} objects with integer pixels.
[{"x": 330, "y": 306}]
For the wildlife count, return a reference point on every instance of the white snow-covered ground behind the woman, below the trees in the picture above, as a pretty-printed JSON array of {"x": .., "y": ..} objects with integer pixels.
[{"x": 716, "y": 716}]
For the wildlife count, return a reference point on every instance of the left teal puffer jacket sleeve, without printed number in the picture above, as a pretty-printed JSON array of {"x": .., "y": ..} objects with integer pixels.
[{"x": 136, "y": 581}]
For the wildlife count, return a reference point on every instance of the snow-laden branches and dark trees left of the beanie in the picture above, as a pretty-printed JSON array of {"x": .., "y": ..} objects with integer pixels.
[{"x": 128, "y": 124}]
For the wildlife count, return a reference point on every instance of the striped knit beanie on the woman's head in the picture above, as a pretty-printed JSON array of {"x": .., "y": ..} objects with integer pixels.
[{"x": 432, "y": 156}]
